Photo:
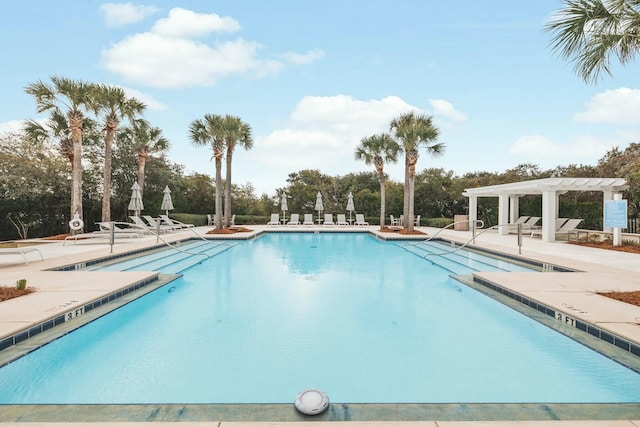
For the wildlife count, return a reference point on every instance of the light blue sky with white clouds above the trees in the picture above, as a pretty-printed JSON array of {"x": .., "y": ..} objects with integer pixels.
[{"x": 314, "y": 78}]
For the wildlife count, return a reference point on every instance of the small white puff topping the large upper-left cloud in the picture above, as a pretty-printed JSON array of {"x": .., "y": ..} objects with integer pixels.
[{"x": 186, "y": 23}]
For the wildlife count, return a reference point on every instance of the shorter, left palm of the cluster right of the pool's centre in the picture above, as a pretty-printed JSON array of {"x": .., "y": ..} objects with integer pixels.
[{"x": 378, "y": 150}]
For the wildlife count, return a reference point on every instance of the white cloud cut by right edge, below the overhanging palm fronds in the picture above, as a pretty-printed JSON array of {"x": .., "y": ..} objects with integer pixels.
[{"x": 619, "y": 106}]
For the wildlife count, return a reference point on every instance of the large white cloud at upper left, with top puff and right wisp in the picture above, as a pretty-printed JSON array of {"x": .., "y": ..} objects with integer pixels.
[{"x": 168, "y": 55}]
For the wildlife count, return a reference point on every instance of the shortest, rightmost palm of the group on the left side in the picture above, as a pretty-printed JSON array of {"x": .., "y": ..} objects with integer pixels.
[{"x": 145, "y": 139}]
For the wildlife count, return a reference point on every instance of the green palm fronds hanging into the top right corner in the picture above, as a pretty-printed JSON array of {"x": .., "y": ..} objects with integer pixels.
[{"x": 589, "y": 32}]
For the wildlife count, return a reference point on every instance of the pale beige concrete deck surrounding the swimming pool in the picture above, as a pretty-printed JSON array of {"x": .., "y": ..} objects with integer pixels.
[{"x": 573, "y": 294}]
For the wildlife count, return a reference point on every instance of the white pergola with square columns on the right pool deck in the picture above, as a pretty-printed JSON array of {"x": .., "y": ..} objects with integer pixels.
[{"x": 550, "y": 189}]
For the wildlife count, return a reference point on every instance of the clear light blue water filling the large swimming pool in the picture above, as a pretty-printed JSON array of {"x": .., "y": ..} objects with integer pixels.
[{"x": 363, "y": 320}]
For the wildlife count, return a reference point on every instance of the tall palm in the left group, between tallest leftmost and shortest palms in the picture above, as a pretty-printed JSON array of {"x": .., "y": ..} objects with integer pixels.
[{"x": 114, "y": 104}]
